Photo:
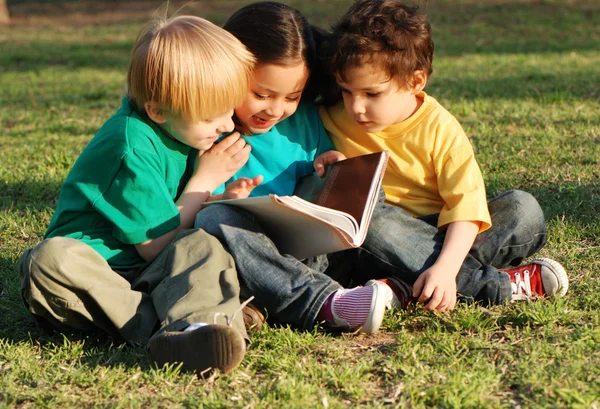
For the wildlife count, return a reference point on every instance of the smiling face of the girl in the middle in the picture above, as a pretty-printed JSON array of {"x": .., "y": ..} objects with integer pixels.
[{"x": 274, "y": 94}]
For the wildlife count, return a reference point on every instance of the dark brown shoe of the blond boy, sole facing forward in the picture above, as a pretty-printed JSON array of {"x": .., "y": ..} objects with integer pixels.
[{"x": 202, "y": 350}]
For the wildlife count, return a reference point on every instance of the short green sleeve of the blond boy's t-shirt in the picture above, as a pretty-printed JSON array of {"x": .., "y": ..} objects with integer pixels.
[{"x": 137, "y": 201}]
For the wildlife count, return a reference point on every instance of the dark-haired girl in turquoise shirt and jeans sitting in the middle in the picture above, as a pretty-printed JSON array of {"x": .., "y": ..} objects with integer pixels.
[{"x": 288, "y": 141}]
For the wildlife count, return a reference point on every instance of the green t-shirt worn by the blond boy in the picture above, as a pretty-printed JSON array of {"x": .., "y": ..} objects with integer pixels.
[{"x": 122, "y": 189}]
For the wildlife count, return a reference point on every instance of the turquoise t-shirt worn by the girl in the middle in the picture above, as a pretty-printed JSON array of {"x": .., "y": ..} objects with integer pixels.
[{"x": 286, "y": 153}]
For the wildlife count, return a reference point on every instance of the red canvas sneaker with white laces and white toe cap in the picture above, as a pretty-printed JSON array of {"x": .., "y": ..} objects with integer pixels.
[{"x": 542, "y": 277}]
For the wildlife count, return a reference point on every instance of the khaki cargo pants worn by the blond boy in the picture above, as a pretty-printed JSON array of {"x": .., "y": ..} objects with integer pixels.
[{"x": 69, "y": 286}]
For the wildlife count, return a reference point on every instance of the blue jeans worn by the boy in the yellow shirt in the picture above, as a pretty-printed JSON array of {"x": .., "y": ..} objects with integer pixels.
[{"x": 400, "y": 245}]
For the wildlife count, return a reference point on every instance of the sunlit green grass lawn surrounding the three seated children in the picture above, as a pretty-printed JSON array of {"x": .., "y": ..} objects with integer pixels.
[{"x": 521, "y": 76}]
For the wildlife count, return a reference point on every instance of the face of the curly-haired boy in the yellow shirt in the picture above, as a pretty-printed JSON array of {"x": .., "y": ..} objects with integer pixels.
[{"x": 375, "y": 102}]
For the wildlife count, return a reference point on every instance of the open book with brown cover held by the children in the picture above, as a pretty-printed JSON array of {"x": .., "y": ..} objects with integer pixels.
[{"x": 324, "y": 215}]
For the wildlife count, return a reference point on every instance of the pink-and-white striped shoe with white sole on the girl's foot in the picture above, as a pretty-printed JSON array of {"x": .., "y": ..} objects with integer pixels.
[{"x": 357, "y": 308}]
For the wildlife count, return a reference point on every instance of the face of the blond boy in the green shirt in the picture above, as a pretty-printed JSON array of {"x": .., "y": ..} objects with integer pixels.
[{"x": 200, "y": 135}]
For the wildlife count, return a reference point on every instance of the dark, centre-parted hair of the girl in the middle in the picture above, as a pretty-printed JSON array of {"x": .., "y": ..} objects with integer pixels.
[{"x": 278, "y": 34}]
